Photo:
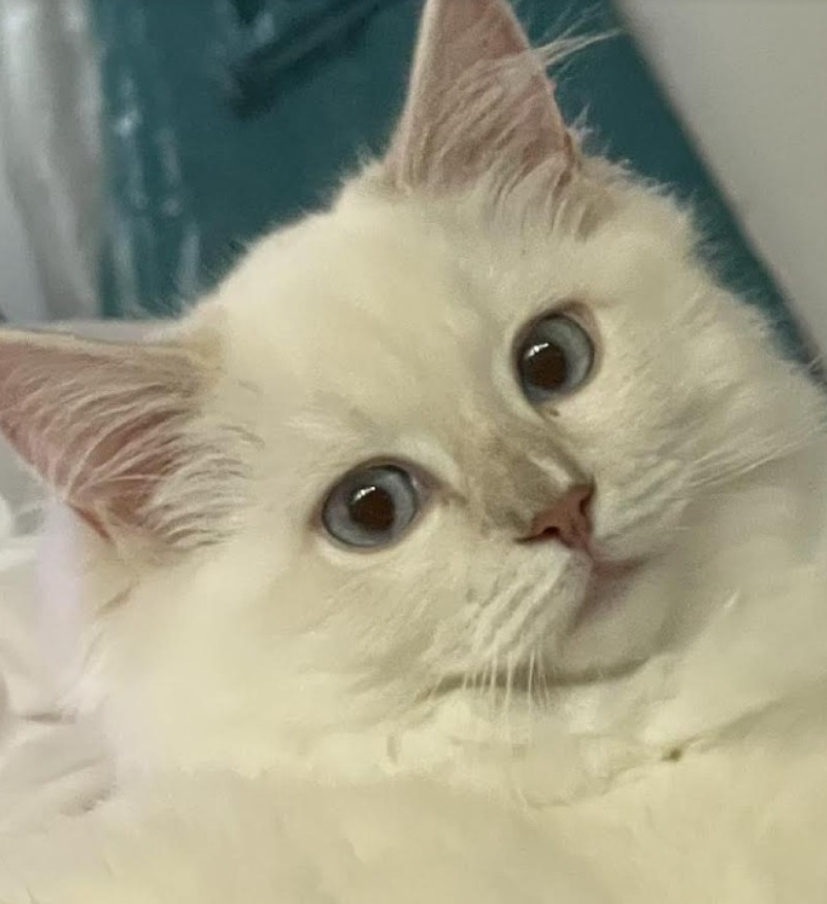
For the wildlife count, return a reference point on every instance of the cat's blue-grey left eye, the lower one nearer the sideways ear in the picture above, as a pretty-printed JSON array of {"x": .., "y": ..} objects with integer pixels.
[{"x": 371, "y": 508}]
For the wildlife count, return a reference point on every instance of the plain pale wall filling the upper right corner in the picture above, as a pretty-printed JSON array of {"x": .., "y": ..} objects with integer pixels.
[{"x": 749, "y": 78}]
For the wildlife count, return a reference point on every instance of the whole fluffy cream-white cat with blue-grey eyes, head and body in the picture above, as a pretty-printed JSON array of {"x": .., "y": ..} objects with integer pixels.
[{"x": 467, "y": 544}]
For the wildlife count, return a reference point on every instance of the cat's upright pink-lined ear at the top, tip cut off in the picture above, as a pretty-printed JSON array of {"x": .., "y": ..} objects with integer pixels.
[{"x": 479, "y": 100}]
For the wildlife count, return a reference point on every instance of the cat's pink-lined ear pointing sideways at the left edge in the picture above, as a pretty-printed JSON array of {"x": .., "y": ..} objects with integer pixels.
[{"x": 109, "y": 428}]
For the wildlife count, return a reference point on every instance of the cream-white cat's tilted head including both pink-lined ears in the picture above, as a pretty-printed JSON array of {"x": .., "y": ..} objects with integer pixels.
[{"x": 412, "y": 441}]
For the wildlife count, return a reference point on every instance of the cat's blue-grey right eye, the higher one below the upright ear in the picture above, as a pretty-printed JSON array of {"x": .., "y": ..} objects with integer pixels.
[{"x": 555, "y": 357}]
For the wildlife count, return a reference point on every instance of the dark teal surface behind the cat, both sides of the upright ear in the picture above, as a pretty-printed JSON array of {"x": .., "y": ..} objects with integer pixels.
[{"x": 197, "y": 168}]
